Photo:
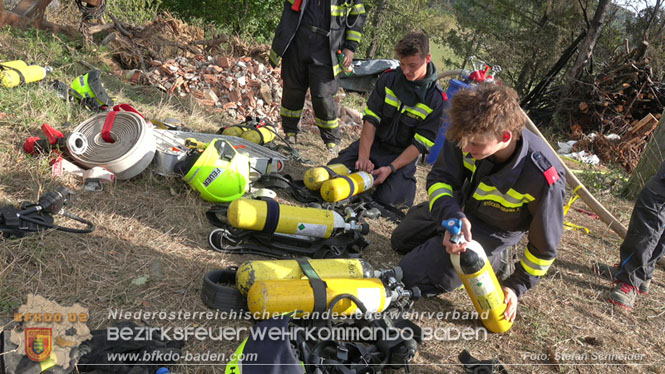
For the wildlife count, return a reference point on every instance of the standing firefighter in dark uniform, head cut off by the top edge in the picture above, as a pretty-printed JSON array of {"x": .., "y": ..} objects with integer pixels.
[{"x": 308, "y": 37}]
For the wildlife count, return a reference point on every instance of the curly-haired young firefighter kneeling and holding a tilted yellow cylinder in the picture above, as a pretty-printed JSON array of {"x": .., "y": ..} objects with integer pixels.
[{"x": 501, "y": 181}]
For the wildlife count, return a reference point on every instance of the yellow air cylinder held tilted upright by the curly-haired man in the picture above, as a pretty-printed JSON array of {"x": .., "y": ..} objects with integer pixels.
[{"x": 482, "y": 286}]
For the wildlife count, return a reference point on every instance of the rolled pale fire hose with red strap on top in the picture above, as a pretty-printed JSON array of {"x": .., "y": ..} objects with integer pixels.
[{"x": 132, "y": 147}]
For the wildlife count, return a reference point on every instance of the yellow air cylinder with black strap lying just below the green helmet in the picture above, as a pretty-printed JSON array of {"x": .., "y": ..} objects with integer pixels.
[{"x": 250, "y": 214}]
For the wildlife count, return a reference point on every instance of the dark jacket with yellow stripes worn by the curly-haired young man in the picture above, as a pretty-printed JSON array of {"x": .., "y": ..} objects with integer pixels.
[{"x": 526, "y": 194}]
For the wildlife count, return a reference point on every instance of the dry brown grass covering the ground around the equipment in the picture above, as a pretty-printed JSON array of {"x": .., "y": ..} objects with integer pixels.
[{"x": 155, "y": 227}]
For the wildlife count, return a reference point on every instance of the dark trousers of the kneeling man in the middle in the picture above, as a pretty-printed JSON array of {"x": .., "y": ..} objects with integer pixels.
[{"x": 398, "y": 189}]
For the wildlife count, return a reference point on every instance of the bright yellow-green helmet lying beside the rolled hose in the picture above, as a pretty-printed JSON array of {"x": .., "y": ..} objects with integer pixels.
[{"x": 220, "y": 174}]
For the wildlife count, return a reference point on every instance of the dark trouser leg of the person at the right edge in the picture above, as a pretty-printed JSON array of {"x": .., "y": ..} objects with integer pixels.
[{"x": 645, "y": 240}]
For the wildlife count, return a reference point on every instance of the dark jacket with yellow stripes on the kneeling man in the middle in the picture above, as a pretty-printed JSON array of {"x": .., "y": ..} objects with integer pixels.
[{"x": 399, "y": 125}]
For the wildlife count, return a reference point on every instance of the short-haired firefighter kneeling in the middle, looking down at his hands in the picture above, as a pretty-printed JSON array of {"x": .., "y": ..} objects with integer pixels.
[{"x": 401, "y": 121}]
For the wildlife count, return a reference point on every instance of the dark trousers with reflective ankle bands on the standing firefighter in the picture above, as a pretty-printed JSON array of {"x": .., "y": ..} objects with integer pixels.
[{"x": 306, "y": 64}]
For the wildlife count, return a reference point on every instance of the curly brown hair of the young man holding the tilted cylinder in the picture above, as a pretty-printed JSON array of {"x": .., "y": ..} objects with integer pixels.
[{"x": 485, "y": 110}]
